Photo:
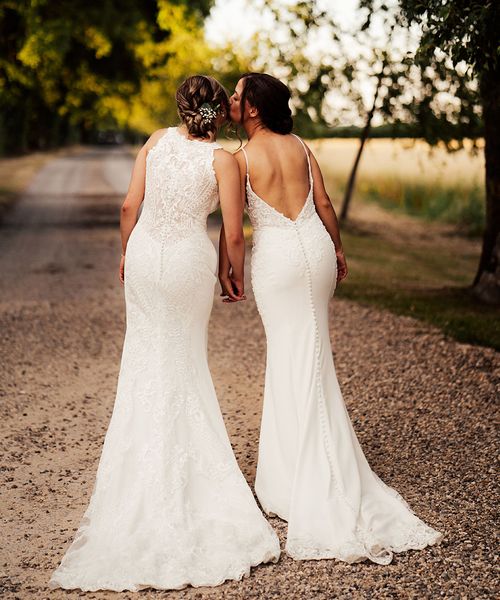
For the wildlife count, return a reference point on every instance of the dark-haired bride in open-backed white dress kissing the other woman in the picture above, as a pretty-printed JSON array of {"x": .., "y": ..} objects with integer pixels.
[{"x": 311, "y": 469}]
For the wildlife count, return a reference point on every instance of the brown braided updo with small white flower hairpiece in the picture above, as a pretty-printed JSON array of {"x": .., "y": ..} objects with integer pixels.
[{"x": 191, "y": 95}]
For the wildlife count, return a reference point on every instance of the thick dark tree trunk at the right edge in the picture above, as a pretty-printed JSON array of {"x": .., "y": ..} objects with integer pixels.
[{"x": 486, "y": 285}]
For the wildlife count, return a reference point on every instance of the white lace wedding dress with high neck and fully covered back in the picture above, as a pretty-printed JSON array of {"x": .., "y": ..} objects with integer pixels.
[{"x": 170, "y": 506}]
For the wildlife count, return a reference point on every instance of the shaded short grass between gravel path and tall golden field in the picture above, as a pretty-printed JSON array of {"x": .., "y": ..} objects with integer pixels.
[{"x": 429, "y": 284}]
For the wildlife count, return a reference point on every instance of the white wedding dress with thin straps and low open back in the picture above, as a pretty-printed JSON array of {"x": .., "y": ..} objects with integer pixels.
[{"x": 311, "y": 470}]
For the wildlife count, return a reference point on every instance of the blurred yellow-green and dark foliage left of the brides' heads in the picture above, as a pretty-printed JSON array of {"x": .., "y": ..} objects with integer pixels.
[{"x": 85, "y": 64}]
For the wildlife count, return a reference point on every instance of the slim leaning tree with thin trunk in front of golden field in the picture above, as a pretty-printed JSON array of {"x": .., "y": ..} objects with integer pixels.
[{"x": 409, "y": 94}]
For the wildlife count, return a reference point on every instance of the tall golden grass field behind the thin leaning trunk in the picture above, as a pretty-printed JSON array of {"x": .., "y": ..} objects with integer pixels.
[{"x": 409, "y": 176}]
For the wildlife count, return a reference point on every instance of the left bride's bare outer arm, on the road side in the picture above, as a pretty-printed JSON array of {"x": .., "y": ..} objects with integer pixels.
[{"x": 135, "y": 196}]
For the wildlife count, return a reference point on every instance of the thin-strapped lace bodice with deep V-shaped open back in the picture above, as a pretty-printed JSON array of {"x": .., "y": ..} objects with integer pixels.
[{"x": 263, "y": 214}]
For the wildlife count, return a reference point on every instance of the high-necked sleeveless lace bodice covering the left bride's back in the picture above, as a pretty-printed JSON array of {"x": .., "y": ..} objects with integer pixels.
[{"x": 181, "y": 188}]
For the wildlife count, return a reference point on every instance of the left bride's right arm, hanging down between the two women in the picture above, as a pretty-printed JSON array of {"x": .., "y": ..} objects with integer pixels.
[{"x": 231, "y": 241}]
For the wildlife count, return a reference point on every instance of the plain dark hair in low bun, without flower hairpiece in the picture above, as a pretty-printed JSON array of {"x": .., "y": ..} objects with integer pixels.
[{"x": 270, "y": 97}]
